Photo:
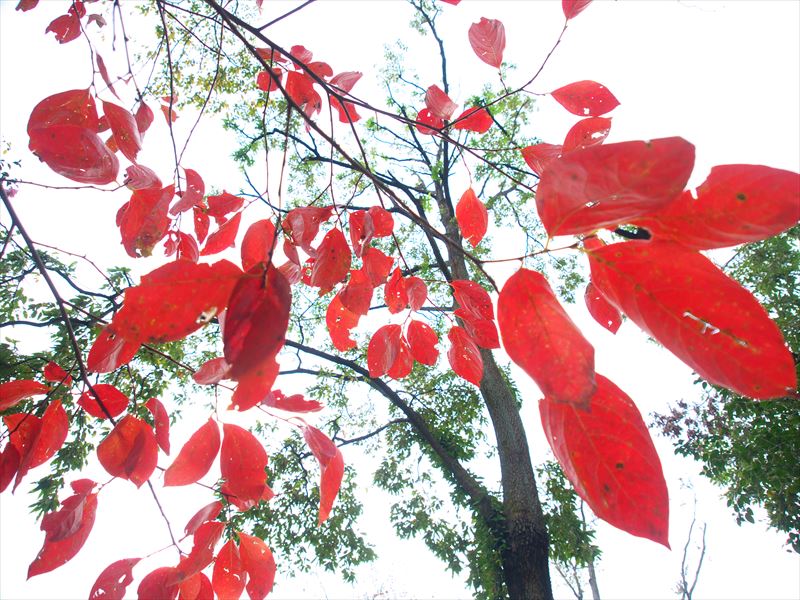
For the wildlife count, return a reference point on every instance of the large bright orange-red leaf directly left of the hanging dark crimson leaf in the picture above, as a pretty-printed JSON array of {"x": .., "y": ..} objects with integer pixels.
[{"x": 174, "y": 300}]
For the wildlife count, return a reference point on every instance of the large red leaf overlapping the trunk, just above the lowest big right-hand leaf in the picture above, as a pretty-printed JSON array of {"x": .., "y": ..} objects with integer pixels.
[{"x": 540, "y": 337}]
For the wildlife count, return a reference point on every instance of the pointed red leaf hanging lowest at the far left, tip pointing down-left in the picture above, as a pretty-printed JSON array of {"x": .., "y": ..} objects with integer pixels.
[{"x": 65, "y": 530}]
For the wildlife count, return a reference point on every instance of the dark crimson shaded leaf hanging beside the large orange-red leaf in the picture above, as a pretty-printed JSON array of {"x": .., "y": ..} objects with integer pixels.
[{"x": 257, "y": 319}]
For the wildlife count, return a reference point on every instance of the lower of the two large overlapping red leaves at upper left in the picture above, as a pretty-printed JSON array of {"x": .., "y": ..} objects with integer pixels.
[{"x": 75, "y": 153}]
